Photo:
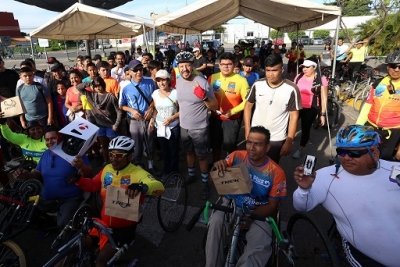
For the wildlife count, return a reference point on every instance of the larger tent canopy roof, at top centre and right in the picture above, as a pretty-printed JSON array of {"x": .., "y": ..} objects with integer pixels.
[{"x": 283, "y": 15}]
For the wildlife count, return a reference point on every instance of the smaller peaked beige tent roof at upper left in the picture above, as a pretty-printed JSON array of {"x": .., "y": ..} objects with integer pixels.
[{"x": 82, "y": 22}]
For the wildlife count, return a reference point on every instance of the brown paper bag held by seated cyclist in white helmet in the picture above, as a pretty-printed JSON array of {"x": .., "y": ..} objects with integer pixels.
[{"x": 121, "y": 206}]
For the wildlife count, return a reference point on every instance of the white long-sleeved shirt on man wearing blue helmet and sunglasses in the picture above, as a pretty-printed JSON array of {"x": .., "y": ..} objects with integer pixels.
[{"x": 366, "y": 209}]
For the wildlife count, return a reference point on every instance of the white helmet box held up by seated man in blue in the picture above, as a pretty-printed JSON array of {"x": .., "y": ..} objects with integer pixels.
[{"x": 82, "y": 133}]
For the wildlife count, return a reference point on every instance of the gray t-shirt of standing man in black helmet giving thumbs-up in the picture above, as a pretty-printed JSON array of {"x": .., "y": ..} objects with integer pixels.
[{"x": 193, "y": 110}]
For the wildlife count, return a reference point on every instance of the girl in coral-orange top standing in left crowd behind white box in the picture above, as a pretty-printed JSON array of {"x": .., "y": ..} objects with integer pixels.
[{"x": 73, "y": 101}]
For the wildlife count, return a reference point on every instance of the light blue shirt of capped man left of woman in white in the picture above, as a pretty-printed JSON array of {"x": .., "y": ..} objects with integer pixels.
[{"x": 132, "y": 98}]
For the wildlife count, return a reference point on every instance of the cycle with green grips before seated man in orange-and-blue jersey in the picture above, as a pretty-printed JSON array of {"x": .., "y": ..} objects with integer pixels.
[{"x": 233, "y": 218}]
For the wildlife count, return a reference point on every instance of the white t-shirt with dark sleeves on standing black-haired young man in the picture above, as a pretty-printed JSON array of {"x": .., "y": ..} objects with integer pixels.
[{"x": 273, "y": 106}]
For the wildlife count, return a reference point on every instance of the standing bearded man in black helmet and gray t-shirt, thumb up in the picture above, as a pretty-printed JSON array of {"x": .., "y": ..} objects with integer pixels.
[{"x": 195, "y": 97}]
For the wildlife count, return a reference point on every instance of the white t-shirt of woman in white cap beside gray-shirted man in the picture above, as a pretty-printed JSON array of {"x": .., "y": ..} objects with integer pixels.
[{"x": 165, "y": 107}]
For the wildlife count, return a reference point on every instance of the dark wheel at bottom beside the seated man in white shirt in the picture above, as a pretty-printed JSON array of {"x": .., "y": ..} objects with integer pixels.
[{"x": 311, "y": 243}]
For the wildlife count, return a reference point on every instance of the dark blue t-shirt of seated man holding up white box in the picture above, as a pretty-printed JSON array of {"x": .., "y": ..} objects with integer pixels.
[{"x": 56, "y": 173}]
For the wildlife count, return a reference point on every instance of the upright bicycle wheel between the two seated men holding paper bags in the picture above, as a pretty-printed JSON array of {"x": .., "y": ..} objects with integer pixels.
[{"x": 172, "y": 205}]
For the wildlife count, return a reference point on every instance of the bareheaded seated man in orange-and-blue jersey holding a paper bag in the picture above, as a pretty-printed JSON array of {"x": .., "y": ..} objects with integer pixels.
[{"x": 269, "y": 187}]
